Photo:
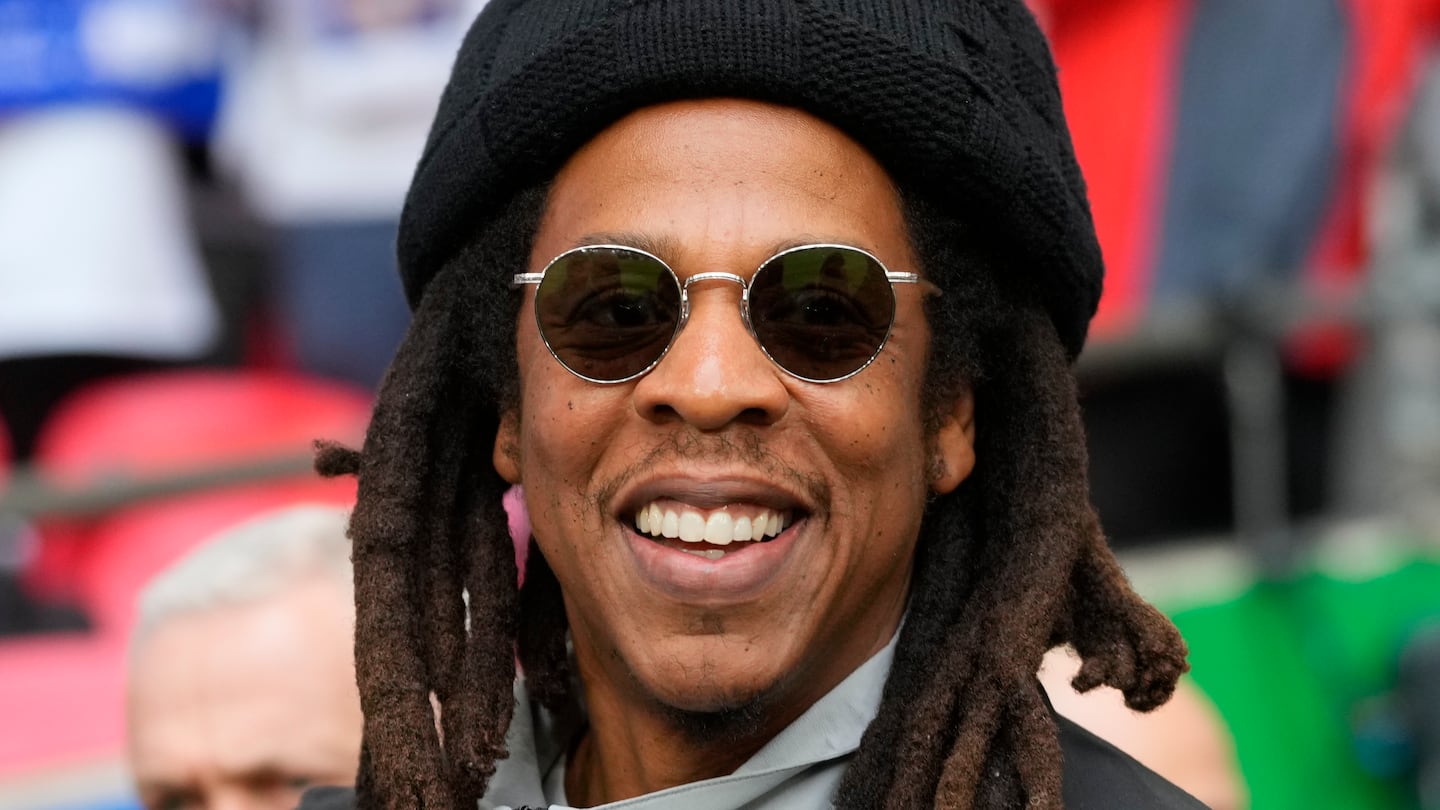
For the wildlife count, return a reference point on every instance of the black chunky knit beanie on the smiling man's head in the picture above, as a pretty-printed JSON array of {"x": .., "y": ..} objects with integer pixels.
[{"x": 955, "y": 99}]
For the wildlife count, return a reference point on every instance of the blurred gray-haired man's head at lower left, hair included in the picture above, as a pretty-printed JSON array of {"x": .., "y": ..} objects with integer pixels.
[{"x": 241, "y": 690}]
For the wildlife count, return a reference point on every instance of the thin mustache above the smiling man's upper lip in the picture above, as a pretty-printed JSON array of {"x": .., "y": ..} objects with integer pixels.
[{"x": 728, "y": 449}]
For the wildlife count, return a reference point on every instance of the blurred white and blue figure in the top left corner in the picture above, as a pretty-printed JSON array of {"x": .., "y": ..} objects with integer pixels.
[{"x": 100, "y": 273}]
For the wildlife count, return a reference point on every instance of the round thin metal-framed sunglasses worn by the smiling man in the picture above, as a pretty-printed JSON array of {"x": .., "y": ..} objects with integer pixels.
[{"x": 608, "y": 313}]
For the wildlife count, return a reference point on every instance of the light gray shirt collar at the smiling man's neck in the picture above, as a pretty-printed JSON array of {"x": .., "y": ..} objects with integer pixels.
[{"x": 801, "y": 767}]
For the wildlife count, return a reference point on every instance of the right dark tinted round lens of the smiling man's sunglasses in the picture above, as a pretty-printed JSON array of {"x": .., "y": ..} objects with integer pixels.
[{"x": 822, "y": 313}]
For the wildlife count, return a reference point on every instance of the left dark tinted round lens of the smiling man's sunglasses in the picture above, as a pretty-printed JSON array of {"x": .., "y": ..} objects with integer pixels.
[{"x": 607, "y": 313}]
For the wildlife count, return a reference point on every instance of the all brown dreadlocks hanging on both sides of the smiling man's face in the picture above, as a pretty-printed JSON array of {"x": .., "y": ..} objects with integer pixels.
[{"x": 1009, "y": 566}]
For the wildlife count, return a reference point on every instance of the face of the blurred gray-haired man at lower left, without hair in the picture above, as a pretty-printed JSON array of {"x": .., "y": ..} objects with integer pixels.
[{"x": 243, "y": 708}]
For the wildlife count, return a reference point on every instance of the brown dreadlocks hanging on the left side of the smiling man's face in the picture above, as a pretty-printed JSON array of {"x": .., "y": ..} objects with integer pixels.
[{"x": 430, "y": 533}]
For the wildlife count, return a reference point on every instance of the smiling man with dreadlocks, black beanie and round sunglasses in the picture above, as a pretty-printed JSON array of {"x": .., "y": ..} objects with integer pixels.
[{"x": 770, "y": 308}]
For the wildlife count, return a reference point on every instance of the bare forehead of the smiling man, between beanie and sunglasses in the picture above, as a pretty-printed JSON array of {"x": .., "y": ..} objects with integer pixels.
[{"x": 698, "y": 178}]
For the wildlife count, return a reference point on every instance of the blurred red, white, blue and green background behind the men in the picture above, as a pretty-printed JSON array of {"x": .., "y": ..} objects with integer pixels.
[{"x": 198, "y": 202}]
